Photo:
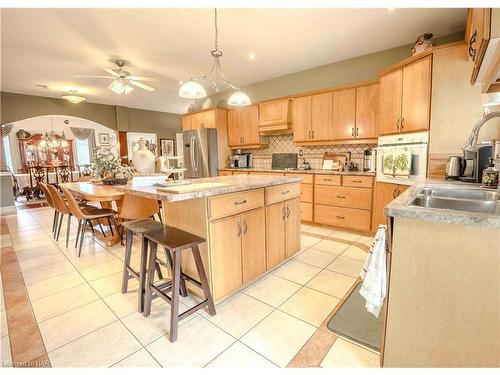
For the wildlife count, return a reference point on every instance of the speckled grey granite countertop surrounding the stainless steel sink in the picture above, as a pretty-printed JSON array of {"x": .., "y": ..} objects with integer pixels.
[{"x": 400, "y": 207}]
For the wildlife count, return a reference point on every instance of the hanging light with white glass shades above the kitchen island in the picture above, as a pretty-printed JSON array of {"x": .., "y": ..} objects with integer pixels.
[{"x": 193, "y": 89}]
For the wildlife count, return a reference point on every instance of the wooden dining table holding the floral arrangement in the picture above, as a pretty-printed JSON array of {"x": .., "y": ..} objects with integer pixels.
[{"x": 105, "y": 195}]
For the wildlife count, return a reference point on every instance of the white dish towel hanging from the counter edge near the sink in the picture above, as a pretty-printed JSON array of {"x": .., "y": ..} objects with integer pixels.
[{"x": 374, "y": 273}]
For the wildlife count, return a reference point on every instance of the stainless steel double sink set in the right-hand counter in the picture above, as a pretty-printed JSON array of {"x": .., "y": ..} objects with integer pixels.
[{"x": 458, "y": 199}]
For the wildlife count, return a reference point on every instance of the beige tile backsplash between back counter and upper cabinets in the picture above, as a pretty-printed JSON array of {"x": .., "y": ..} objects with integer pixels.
[{"x": 312, "y": 154}]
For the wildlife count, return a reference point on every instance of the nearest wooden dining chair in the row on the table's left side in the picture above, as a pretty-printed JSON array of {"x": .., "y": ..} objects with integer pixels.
[{"x": 85, "y": 215}]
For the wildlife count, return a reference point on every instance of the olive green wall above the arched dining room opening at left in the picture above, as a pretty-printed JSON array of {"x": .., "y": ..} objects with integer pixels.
[{"x": 15, "y": 107}]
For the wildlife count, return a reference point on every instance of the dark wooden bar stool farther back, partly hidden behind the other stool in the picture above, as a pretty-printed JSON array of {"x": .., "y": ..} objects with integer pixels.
[{"x": 138, "y": 227}]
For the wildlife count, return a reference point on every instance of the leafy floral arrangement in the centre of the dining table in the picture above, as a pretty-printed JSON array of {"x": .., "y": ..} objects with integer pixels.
[{"x": 108, "y": 168}]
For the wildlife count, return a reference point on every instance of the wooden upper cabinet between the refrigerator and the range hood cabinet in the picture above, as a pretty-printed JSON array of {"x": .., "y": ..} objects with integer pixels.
[{"x": 243, "y": 126}]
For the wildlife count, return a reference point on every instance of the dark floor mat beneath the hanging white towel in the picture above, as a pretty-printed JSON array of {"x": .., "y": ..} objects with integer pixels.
[{"x": 354, "y": 323}]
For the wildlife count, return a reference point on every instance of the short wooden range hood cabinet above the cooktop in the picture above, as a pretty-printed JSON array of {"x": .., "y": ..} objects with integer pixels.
[{"x": 275, "y": 115}]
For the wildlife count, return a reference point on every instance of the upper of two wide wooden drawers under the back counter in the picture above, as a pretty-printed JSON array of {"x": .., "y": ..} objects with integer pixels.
[{"x": 349, "y": 218}]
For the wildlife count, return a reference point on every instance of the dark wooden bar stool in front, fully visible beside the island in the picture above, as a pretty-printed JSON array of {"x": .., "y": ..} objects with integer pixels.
[{"x": 174, "y": 241}]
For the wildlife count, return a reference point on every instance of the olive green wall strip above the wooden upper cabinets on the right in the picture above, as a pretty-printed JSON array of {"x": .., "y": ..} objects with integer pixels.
[{"x": 357, "y": 69}]
